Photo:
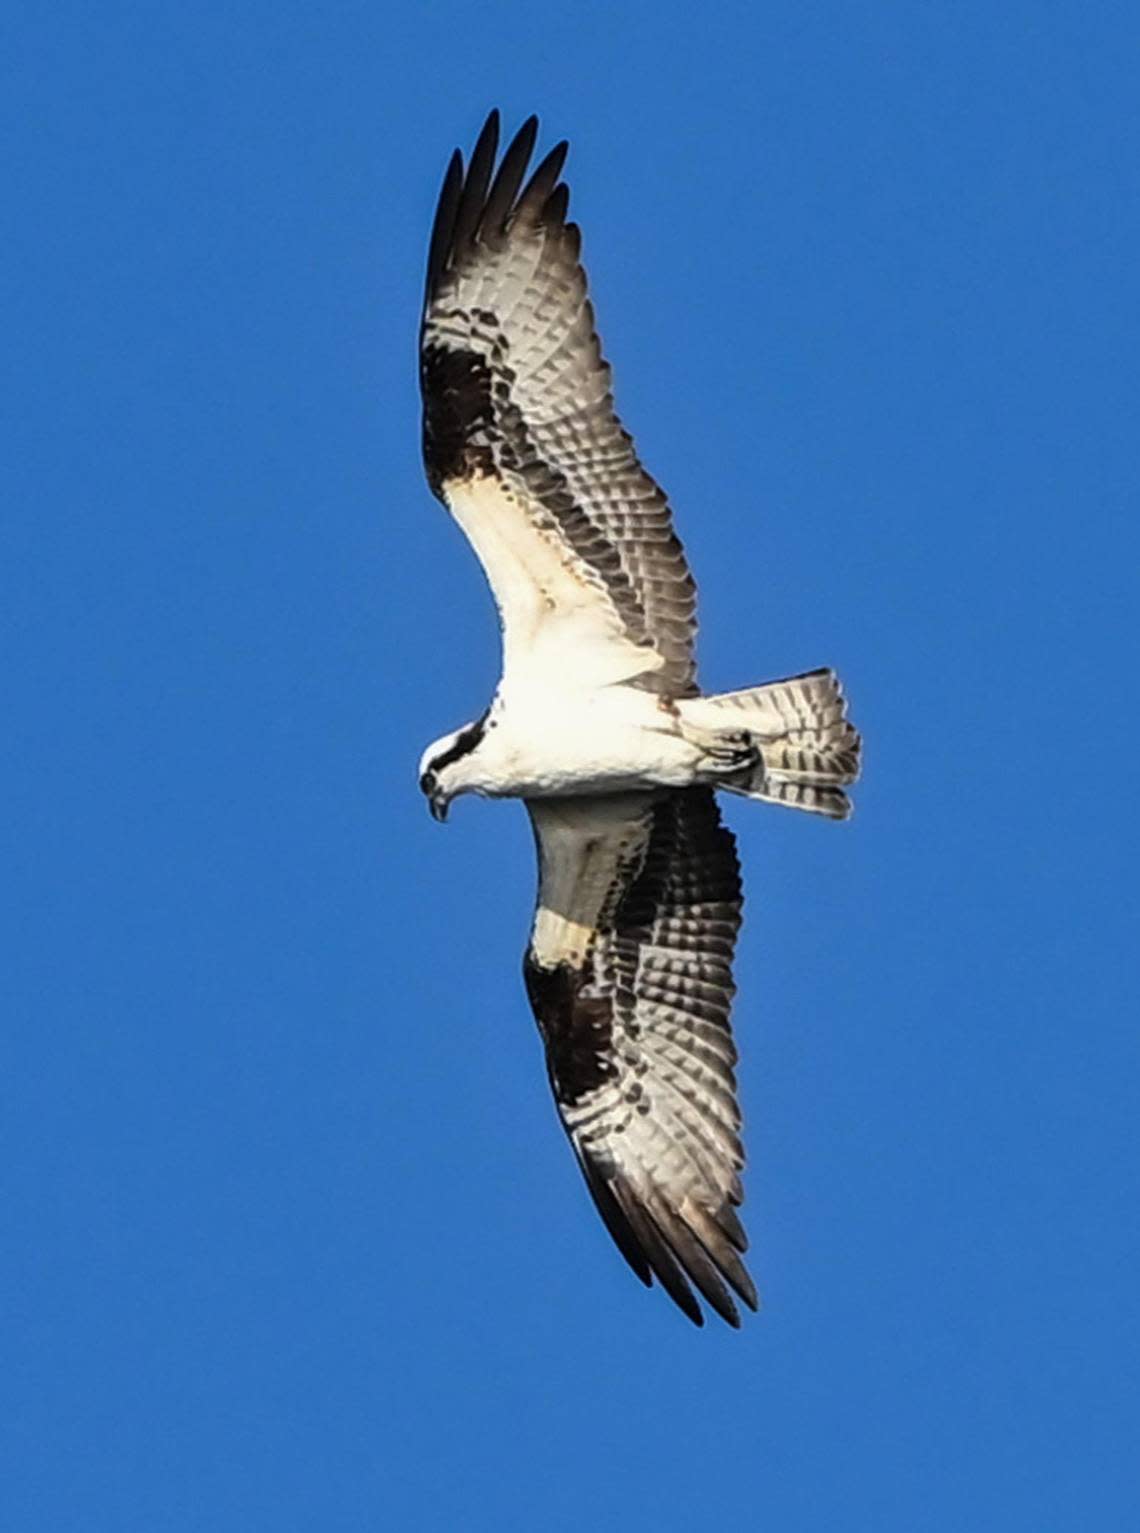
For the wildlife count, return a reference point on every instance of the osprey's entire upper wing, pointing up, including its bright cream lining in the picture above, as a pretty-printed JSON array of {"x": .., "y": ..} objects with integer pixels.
[{"x": 522, "y": 441}]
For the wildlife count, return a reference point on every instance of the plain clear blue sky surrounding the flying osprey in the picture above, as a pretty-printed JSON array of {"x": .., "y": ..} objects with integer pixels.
[{"x": 292, "y": 1236}]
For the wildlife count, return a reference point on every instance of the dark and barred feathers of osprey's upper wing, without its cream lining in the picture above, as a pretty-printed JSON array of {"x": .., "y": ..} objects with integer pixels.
[{"x": 516, "y": 387}]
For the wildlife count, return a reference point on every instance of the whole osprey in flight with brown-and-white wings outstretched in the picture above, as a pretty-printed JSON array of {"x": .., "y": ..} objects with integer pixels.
[{"x": 600, "y": 727}]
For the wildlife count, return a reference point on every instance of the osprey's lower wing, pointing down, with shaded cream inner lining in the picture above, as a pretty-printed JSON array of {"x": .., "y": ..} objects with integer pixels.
[{"x": 631, "y": 977}]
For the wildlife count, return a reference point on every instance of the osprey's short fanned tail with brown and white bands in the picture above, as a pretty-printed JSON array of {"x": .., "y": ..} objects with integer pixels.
[{"x": 807, "y": 752}]
